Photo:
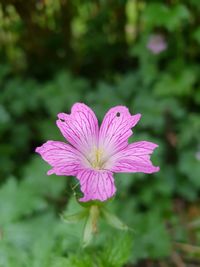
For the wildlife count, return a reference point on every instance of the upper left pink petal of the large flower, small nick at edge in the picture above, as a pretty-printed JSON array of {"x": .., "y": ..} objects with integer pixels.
[{"x": 80, "y": 128}]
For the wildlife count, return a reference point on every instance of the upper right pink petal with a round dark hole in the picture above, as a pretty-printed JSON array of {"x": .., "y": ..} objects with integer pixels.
[{"x": 116, "y": 129}]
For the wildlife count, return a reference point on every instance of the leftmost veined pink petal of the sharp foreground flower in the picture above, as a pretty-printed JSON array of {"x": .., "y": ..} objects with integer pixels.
[{"x": 64, "y": 159}]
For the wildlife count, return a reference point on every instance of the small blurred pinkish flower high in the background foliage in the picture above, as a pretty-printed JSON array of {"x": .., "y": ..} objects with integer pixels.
[{"x": 157, "y": 43}]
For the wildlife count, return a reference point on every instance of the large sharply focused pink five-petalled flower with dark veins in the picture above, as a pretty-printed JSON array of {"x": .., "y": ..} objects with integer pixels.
[{"x": 93, "y": 154}]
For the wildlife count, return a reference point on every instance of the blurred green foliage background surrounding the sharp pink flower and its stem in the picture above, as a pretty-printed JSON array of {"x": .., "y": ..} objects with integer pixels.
[{"x": 142, "y": 54}]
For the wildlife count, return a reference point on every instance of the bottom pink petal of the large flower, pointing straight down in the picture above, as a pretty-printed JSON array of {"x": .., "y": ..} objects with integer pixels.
[{"x": 96, "y": 185}]
